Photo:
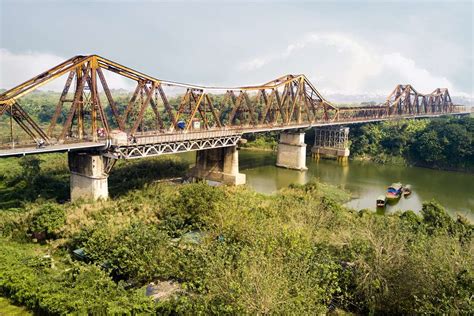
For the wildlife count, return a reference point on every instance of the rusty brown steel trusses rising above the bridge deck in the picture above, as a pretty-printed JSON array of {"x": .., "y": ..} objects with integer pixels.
[{"x": 286, "y": 101}]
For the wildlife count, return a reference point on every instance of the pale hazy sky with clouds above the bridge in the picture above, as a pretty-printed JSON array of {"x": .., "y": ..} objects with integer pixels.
[{"x": 342, "y": 46}]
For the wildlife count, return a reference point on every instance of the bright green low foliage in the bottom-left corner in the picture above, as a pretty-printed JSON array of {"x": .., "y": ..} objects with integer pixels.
[{"x": 62, "y": 288}]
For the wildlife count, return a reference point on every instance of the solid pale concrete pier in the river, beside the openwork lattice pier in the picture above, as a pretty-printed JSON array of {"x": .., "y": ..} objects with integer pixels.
[{"x": 292, "y": 151}]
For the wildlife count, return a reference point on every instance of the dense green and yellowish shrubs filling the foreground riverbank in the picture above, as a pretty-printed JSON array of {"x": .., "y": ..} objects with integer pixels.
[{"x": 229, "y": 250}]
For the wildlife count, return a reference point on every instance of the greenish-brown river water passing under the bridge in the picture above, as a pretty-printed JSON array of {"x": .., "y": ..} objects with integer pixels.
[{"x": 365, "y": 180}]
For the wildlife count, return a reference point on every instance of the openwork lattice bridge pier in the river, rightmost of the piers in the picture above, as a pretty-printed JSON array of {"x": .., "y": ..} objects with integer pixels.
[{"x": 332, "y": 142}]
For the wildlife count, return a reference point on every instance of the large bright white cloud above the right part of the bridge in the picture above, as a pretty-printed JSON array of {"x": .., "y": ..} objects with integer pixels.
[{"x": 347, "y": 66}]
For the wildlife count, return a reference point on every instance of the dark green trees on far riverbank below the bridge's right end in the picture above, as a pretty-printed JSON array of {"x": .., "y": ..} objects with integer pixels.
[{"x": 446, "y": 143}]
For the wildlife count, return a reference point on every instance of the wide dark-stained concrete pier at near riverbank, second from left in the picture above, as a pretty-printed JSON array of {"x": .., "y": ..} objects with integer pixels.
[{"x": 218, "y": 164}]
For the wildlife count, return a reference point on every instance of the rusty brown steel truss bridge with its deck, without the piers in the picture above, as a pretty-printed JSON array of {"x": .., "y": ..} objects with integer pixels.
[{"x": 163, "y": 117}]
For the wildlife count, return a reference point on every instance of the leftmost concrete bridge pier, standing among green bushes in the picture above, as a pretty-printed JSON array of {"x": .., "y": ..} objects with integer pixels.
[{"x": 88, "y": 176}]
